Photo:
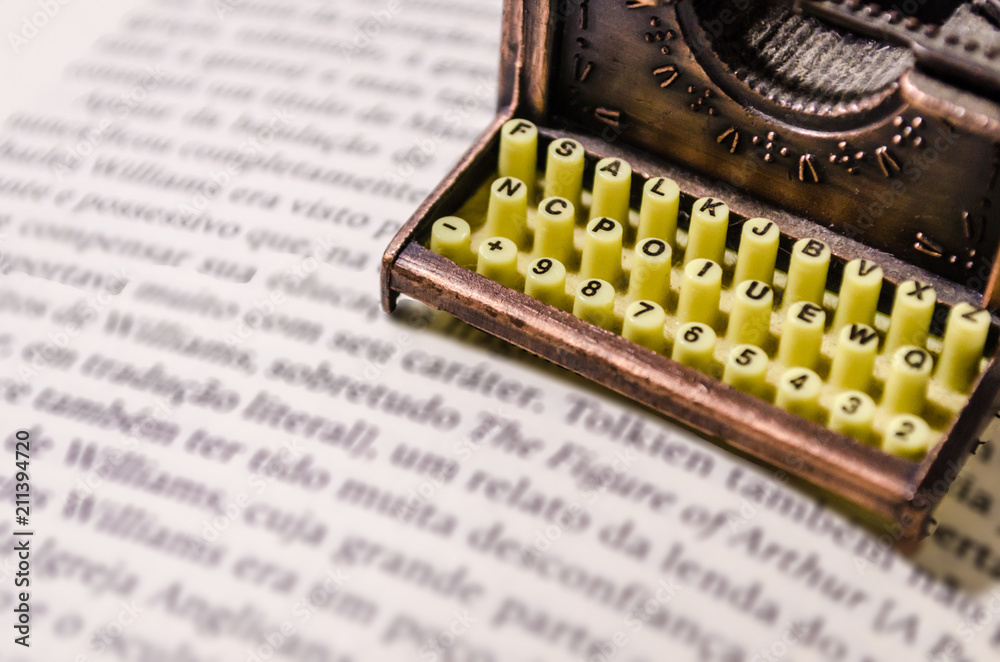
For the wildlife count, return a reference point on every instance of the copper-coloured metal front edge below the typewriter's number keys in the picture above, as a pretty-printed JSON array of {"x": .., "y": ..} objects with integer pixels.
[{"x": 879, "y": 482}]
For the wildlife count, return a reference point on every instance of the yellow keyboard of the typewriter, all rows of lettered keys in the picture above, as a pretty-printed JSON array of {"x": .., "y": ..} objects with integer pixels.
[{"x": 740, "y": 305}]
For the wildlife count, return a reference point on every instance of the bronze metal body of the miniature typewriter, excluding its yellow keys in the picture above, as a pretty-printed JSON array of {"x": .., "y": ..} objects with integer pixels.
[{"x": 870, "y": 132}]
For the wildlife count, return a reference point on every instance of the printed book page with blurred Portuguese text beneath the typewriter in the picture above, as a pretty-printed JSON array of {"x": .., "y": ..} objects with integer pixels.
[{"x": 235, "y": 456}]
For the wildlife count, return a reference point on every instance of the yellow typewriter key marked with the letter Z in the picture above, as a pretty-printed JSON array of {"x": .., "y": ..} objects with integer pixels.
[{"x": 964, "y": 341}]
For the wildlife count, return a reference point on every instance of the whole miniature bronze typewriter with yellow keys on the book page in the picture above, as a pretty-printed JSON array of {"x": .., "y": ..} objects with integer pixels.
[{"x": 773, "y": 222}]
